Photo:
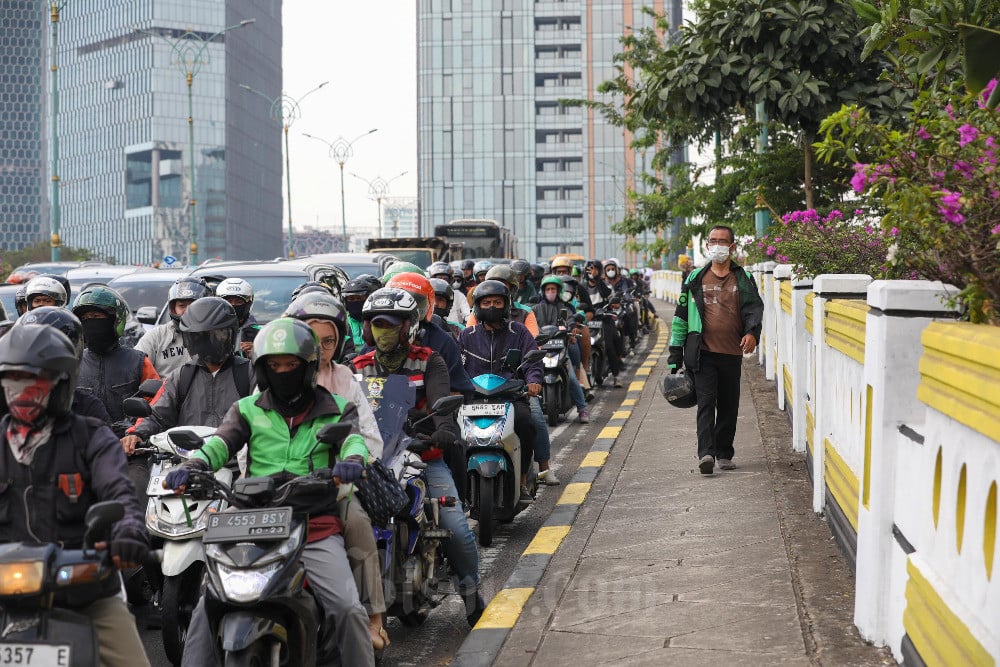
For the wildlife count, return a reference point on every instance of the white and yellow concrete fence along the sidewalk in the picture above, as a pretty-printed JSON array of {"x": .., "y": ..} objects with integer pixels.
[{"x": 897, "y": 408}]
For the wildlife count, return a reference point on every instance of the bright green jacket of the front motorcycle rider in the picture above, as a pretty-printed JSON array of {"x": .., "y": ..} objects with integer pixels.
[{"x": 272, "y": 449}]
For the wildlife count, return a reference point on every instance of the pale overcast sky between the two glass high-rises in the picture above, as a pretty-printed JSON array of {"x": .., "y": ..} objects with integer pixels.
[{"x": 367, "y": 51}]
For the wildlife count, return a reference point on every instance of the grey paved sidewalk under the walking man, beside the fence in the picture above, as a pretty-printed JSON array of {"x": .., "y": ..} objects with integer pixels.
[{"x": 666, "y": 566}]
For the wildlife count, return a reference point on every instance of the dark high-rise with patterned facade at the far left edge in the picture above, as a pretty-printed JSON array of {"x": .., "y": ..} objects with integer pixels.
[{"x": 23, "y": 176}]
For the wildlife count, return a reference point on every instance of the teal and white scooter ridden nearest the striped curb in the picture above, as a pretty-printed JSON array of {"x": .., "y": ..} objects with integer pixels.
[{"x": 494, "y": 454}]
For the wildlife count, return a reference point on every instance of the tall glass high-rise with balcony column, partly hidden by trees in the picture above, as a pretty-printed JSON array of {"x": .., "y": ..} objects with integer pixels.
[{"x": 496, "y": 139}]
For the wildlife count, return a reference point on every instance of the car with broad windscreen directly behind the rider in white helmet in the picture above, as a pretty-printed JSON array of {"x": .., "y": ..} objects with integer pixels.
[{"x": 273, "y": 281}]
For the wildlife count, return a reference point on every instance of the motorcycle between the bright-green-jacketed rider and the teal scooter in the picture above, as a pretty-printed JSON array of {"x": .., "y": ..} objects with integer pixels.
[{"x": 409, "y": 545}]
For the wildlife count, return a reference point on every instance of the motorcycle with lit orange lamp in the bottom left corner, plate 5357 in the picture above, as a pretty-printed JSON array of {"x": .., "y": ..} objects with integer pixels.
[{"x": 39, "y": 583}]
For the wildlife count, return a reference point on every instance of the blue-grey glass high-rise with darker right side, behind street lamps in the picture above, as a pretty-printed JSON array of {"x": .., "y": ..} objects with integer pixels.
[{"x": 123, "y": 128}]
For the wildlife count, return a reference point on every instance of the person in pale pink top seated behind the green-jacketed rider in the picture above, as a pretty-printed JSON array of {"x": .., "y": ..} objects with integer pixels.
[{"x": 326, "y": 316}]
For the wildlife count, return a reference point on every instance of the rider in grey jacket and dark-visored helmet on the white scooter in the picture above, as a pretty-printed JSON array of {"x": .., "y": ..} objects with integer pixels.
[{"x": 200, "y": 392}]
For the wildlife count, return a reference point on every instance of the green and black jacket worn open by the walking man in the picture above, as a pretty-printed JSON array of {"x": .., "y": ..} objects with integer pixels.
[{"x": 686, "y": 327}]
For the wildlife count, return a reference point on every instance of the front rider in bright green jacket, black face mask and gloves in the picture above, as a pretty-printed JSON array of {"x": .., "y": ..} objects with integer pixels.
[{"x": 279, "y": 426}]
